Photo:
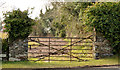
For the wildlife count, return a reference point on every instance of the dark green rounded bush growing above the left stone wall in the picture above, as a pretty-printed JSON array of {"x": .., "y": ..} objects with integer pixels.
[{"x": 18, "y": 24}]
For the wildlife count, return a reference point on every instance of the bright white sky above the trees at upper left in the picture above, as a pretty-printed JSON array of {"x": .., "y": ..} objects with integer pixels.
[{"x": 24, "y": 5}]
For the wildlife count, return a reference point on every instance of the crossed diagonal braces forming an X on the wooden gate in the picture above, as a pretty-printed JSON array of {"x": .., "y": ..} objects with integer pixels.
[{"x": 59, "y": 50}]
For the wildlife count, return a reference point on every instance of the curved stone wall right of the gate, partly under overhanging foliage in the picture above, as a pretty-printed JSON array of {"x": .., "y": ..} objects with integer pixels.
[{"x": 102, "y": 46}]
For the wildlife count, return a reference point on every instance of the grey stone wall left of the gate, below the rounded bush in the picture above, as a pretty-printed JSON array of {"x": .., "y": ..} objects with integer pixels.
[{"x": 19, "y": 50}]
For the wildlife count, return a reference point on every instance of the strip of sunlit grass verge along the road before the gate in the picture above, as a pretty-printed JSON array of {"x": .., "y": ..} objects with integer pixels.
[{"x": 41, "y": 64}]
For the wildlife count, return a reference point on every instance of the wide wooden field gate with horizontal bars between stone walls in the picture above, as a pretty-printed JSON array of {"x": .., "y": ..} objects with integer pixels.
[{"x": 60, "y": 49}]
